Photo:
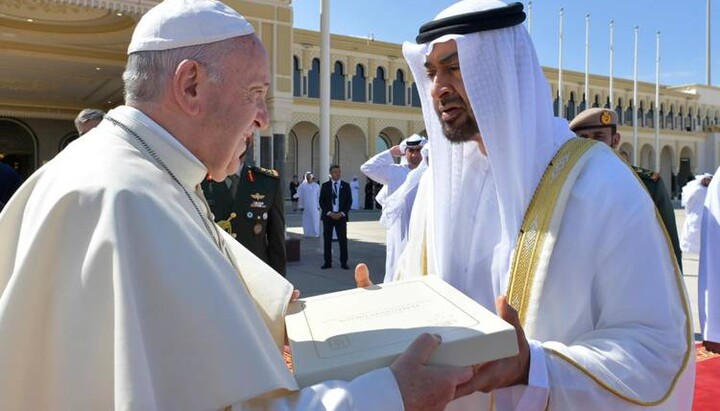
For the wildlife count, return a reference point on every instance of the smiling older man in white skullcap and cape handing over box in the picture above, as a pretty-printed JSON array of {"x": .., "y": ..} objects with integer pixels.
[{"x": 117, "y": 290}]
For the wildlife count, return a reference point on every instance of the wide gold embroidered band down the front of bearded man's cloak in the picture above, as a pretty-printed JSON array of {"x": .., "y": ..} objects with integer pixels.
[{"x": 533, "y": 232}]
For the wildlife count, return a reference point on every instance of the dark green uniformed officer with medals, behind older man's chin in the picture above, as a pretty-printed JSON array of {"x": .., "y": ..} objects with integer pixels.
[{"x": 249, "y": 205}]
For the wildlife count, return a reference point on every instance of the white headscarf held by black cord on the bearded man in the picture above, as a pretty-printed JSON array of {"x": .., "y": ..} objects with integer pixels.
[{"x": 510, "y": 98}]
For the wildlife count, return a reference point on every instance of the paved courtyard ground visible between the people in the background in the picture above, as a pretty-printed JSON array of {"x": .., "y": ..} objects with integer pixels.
[{"x": 366, "y": 244}]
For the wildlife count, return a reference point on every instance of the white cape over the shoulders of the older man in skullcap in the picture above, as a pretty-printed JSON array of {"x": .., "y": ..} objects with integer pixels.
[{"x": 113, "y": 295}]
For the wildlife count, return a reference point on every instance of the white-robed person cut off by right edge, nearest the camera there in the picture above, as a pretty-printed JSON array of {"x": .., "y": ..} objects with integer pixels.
[{"x": 709, "y": 268}]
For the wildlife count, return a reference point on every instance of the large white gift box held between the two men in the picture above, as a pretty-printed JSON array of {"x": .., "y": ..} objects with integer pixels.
[{"x": 345, "y": 334}]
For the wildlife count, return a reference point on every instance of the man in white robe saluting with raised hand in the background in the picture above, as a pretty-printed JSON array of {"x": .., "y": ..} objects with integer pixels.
[{"x": 396, "y": 206}]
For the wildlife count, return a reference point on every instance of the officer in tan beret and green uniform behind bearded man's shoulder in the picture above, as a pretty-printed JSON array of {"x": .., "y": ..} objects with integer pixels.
[{"x": 601, "y": 124}]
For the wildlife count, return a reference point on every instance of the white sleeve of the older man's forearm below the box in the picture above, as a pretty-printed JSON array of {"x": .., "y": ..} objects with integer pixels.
[{"x": 376, "y": 390}]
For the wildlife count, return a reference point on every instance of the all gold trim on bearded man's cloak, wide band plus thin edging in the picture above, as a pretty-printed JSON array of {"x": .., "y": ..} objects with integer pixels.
[{"x": 532, "y": 236}]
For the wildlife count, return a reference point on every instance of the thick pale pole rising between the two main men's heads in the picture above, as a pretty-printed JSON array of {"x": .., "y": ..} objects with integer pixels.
[{"x": 324, "y": 91}]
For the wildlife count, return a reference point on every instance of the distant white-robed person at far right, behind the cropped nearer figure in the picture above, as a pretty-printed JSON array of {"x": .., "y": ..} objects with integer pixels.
[{"x": 693, "y": 199}]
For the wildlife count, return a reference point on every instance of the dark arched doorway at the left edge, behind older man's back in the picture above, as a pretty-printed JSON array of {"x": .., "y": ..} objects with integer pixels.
[{"x": 18, "y": 146}]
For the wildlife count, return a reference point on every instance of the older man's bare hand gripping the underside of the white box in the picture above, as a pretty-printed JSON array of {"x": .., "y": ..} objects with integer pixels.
[{"x": 426, "y": 387}]
